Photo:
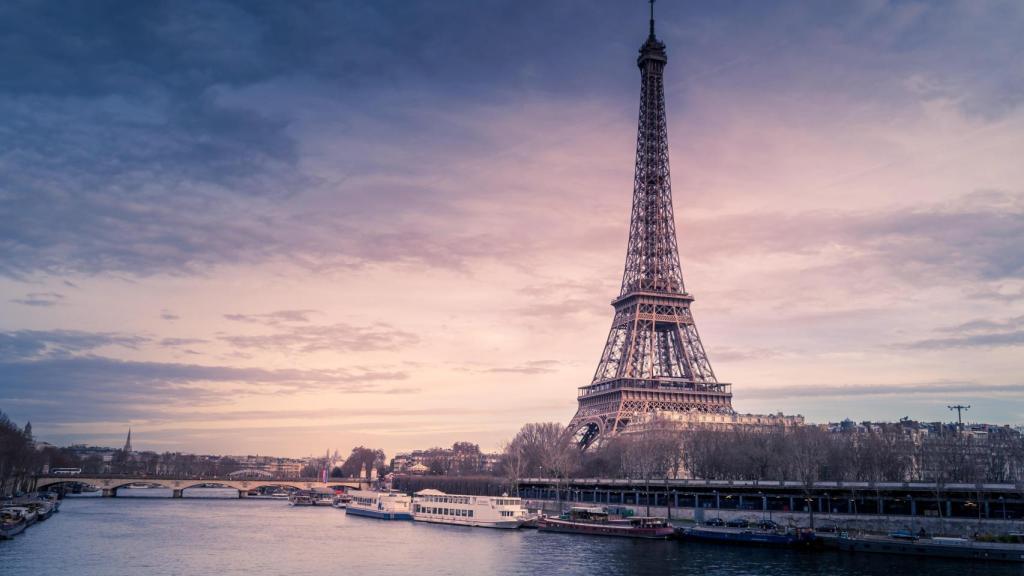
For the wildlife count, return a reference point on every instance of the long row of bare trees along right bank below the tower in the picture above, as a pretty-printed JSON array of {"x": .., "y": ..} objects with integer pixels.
[{"x": 804, "y": 455}]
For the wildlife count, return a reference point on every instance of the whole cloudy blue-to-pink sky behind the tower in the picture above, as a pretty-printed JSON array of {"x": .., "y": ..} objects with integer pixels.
[{"x": 281, "y": 228}]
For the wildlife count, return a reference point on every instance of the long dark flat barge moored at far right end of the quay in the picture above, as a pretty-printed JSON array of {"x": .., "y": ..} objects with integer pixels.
[{"x": 932, "y": 548}]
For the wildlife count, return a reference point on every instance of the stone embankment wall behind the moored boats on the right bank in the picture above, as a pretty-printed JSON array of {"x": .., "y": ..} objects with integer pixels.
[{"x": 860, "y": 523}]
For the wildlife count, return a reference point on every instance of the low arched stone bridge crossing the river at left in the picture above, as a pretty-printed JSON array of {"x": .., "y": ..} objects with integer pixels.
[{"x": 111, "y": 484}]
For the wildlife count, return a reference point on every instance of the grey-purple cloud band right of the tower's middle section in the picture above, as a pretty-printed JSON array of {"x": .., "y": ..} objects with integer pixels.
[{"x": 975, "y": 237}]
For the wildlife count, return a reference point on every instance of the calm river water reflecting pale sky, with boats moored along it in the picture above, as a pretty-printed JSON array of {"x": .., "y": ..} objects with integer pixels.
[{"x": 204, "y": 537}]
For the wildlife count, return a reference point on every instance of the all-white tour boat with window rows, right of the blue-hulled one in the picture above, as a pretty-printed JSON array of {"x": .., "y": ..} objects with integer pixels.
[{"x": 487, "y": 512}]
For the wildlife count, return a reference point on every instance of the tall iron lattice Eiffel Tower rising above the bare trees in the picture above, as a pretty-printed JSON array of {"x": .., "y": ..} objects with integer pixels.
[{"x": 654, "y": 362}]
